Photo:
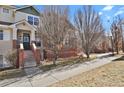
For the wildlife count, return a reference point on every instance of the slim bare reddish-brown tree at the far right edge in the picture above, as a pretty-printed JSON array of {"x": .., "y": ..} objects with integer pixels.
[{"x": 116, "y": 31}]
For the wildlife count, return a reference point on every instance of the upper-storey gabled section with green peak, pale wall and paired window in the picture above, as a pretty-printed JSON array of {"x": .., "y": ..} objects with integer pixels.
[{"x": 28, "y": 13}]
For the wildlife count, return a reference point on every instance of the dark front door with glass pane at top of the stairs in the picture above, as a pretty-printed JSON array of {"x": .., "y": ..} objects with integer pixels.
[{"x": 26, "y": 41}]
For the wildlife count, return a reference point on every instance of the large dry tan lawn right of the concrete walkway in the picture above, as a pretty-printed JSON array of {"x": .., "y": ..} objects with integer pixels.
[{"x": 109, "y": 75}]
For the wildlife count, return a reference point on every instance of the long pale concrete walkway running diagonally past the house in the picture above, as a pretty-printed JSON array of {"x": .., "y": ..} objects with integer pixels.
[{"x": 53, "y": 76}]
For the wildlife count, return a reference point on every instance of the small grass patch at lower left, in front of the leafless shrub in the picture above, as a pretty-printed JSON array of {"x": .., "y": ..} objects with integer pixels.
[{"x": 13, "y": 73}]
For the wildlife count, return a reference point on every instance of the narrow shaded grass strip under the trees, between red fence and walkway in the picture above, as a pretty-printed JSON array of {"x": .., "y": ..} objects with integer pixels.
[{"x": 63, "y": 63}]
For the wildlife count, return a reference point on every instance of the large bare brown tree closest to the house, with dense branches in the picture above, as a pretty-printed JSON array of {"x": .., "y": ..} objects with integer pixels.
[{"x": 53, "y": 27}]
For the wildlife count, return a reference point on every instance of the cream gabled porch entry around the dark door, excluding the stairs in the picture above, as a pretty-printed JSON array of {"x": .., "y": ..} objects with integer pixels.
[{"x": 23, "y": 33}]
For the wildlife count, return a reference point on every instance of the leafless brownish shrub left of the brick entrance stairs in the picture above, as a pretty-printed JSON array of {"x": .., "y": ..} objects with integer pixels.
[{"x": 11, "y": 57}]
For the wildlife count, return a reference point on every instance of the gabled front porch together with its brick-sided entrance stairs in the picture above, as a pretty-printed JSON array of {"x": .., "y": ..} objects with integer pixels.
[{"x": 24, "y": 36}]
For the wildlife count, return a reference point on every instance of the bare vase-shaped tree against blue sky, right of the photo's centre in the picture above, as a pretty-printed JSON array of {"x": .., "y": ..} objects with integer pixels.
[{"x": 87, "y": 22}]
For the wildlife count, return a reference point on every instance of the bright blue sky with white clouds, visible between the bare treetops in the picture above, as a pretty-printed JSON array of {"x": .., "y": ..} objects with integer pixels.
[{"x": 106, "y": 12}]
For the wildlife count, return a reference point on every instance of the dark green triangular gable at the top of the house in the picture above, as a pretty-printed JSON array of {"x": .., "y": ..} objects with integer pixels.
[{"x": 29, "y": 9}]
